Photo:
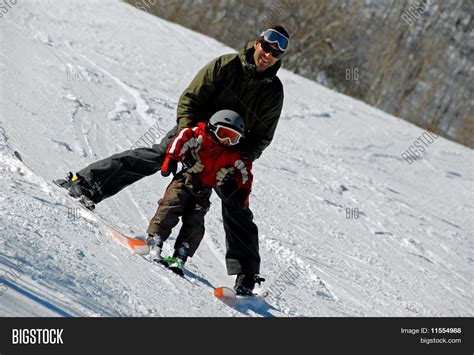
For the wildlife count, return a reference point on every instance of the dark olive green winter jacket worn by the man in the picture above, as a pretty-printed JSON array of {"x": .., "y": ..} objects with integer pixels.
[{"x": 231, "y": 82}]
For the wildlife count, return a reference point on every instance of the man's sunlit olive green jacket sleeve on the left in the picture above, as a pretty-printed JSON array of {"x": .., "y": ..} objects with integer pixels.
[{"x": 193, "y": 100}]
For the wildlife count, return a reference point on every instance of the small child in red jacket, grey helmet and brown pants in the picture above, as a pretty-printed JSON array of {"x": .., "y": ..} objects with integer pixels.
[{"x": 207, "y": 155}]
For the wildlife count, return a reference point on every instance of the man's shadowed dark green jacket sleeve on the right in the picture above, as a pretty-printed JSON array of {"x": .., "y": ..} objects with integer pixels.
[{"x": 262, "y": 133}]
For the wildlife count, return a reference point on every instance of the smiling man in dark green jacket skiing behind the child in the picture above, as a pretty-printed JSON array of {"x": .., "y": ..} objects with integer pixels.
[{"x": 246, "y": 83}]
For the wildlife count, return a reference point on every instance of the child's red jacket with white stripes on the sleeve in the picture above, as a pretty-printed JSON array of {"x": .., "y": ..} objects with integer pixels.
[{"x": 213, "y": 155}]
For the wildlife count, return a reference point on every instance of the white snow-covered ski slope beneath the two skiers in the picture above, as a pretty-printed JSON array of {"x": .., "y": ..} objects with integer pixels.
[{"x": 83, "y": 80}]
